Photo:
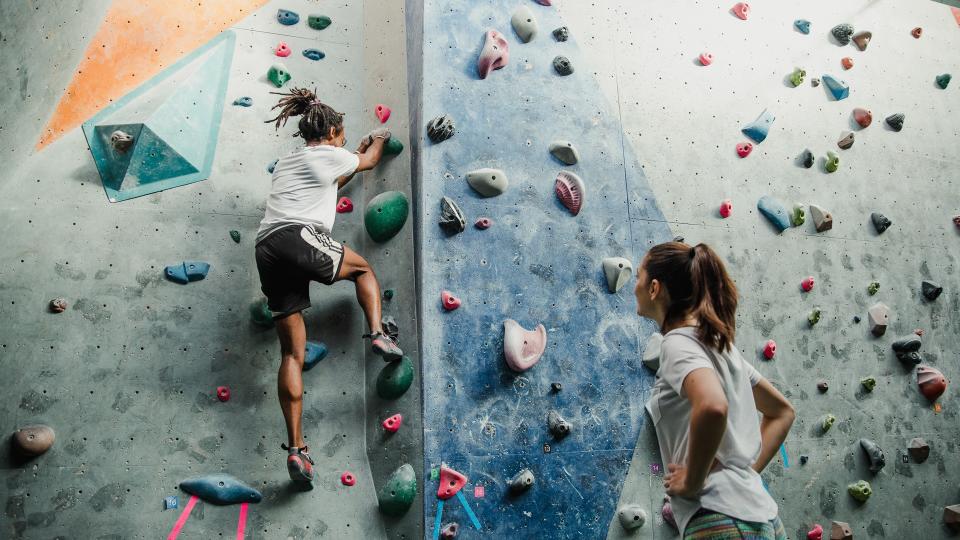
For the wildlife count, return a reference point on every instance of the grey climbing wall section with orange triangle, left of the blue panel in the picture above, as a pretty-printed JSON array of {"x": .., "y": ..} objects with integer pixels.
[{"x": 128, "y": 374}]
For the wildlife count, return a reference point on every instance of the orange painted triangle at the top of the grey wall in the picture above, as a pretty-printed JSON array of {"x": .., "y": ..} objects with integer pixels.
[{"x": 136, "y": 41}]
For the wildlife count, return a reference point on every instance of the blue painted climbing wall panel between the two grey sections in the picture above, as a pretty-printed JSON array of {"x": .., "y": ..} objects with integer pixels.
[{"x": 536, "y": 264}]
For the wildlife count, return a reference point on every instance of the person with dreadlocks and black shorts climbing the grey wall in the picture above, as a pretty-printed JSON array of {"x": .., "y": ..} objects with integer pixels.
[{"x": 294, "y": 247}]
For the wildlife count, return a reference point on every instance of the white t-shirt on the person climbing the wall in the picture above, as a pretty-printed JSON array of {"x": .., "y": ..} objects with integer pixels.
[{"x": 304, "y": 188}]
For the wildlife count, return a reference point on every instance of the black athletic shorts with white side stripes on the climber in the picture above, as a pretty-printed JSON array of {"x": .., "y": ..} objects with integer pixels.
[{"x": 289, "y": 259}]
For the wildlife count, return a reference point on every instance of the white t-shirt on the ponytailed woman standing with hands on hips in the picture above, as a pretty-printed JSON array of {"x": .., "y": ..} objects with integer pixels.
[{"x": 732, "y": 487}]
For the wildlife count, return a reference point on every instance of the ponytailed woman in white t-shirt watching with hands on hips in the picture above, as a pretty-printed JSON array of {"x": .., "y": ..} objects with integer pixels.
[{"x": 705, "y": 401}]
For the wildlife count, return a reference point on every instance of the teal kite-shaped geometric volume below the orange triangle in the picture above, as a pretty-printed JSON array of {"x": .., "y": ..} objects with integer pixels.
[{"x": 176, "y": 116}]
